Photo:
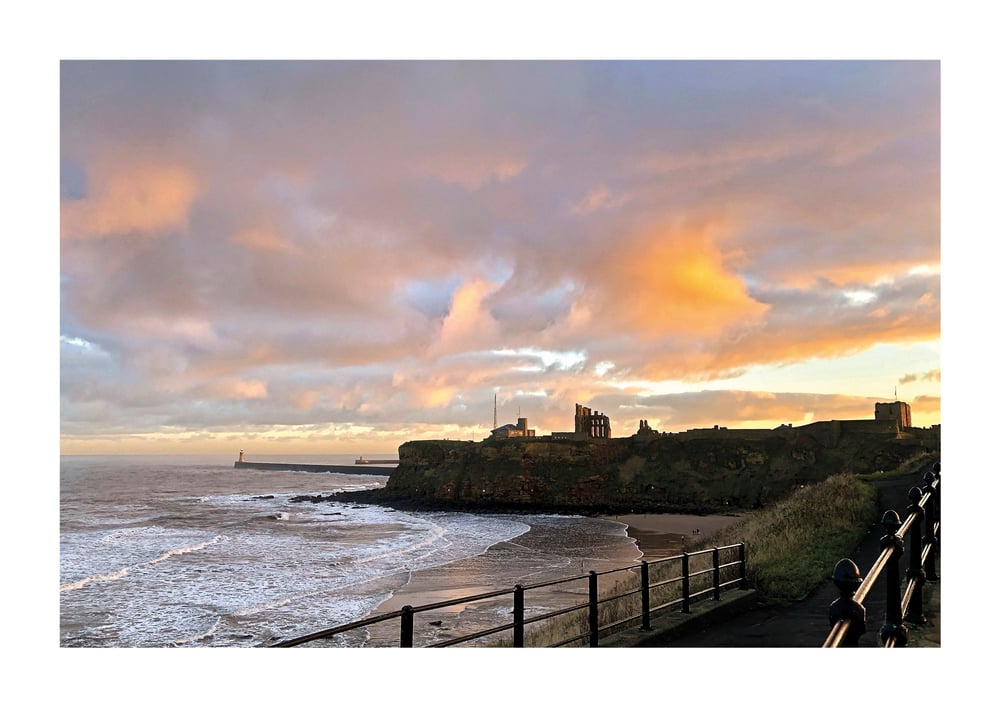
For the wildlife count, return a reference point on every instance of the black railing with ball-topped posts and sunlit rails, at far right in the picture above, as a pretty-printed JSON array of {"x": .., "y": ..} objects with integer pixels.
[{"x": 847, "y": 613}]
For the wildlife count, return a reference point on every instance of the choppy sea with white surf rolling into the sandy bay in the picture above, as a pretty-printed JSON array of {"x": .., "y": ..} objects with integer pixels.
[{"x": 190, "y": 552}]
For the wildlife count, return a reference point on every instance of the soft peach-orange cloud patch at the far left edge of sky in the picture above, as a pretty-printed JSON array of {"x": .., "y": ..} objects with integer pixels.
[{"x": 134, "y": 199}]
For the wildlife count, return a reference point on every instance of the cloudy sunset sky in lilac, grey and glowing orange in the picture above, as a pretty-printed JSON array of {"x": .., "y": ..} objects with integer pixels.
[{"x": 341, "y": 256}]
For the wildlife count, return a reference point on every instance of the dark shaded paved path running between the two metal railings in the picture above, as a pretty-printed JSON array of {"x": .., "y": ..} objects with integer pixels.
[{"x": 806, "y": 623}]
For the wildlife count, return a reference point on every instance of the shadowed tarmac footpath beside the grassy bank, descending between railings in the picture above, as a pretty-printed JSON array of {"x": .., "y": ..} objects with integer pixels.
[{"x": 745, "y": 619}]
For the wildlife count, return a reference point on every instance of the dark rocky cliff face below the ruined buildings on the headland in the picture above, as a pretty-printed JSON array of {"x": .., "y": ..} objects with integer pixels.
[{"x": 709, "y": 473}]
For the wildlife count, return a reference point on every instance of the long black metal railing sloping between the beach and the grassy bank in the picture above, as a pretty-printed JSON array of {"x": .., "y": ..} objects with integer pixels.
[{"x": 626, "y": 604}]
